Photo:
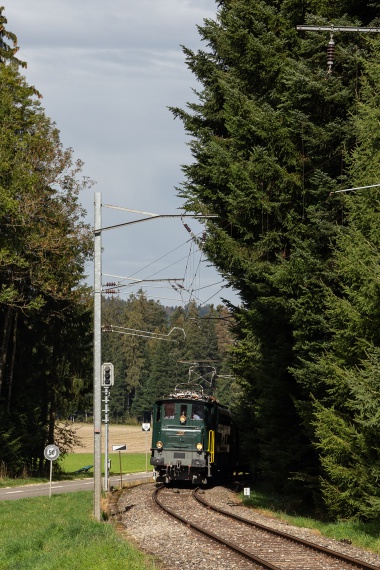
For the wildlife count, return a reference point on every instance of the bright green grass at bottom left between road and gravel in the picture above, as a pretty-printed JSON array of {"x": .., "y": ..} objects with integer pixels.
[{"x": 60, "y": 534}]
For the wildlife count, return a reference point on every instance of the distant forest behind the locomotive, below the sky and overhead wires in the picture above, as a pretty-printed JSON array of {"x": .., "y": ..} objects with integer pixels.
[{"x": 148, "y": 368}]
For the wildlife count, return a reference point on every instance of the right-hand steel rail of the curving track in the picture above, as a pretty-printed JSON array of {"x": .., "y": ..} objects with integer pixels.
[{"x": 343, "y": 557}]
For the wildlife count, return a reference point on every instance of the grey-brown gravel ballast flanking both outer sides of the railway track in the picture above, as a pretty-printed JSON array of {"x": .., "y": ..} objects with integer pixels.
[{"x": 177, "y": 546}]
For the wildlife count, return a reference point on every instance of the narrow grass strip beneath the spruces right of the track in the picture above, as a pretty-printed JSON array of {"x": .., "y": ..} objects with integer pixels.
[{"x": 362, "y": 535}]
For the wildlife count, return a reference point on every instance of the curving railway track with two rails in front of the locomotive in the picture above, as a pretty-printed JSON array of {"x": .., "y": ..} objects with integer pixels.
[{"x": 262, "y": 546}]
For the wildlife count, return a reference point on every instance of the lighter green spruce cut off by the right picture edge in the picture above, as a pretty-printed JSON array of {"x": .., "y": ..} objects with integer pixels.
[{"x": 347, "y": 420}]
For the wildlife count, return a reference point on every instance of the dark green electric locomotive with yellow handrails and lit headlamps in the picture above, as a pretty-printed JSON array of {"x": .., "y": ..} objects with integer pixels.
[{"x": 193, "y": 439}]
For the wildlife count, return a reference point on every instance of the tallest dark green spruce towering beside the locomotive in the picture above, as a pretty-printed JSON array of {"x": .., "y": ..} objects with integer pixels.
[{"x": 272, "y": 136}]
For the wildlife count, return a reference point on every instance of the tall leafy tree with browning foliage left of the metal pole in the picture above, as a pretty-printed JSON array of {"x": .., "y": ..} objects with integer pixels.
[{"x": 44, "y": 244}]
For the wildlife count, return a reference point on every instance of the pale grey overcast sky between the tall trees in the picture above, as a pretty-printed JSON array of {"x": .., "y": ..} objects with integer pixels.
[{"x": 107, "y": 72}]
